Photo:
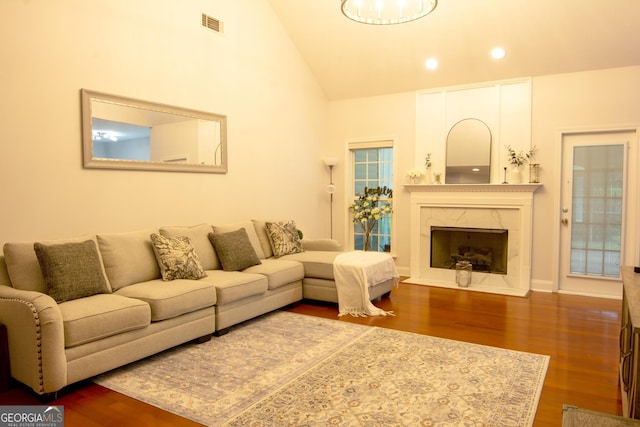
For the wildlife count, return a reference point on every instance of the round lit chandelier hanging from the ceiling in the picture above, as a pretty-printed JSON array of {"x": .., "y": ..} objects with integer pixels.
[{"x": 387, "y": 12}]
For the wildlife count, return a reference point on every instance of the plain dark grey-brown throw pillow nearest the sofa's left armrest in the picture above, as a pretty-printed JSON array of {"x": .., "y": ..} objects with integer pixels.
[{"x": 71, "y": 270}]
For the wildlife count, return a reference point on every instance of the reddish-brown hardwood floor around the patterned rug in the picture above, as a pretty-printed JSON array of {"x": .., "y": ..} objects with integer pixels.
[{"x": 579, "y": 333}]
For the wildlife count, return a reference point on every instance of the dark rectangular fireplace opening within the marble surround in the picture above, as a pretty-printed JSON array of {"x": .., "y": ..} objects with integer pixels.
[{"x": 484, "y": 248}]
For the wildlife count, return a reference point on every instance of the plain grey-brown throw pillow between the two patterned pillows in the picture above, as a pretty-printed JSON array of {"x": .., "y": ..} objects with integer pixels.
[{"x": 234, "y": 250}]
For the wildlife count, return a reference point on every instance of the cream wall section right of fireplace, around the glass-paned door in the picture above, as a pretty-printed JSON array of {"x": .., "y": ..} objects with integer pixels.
[{"x": 603, "y": 99}]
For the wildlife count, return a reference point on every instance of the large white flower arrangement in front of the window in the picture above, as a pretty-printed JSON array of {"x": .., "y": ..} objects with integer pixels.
[{"x": 369, "y": 208}]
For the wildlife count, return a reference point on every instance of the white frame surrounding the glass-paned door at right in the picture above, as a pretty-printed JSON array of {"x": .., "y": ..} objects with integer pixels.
[{"x": 632, "y": 242}]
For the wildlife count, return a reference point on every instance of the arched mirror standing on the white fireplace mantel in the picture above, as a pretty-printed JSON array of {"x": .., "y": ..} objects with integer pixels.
[{"x": 468, "y": 153}]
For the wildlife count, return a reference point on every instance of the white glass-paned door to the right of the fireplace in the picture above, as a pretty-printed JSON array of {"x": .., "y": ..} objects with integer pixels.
[{"x": 594, "y": 207}]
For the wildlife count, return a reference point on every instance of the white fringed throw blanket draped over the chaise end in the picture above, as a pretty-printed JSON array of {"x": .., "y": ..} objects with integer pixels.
[{"x": 354, "y": 273}]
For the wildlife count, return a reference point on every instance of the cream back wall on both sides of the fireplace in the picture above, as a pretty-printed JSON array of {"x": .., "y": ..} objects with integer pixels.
[{"x": 602, "y": 98}]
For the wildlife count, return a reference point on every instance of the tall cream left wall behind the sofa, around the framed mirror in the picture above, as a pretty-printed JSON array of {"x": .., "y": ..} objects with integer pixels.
[{"x": 154, "y": 50}]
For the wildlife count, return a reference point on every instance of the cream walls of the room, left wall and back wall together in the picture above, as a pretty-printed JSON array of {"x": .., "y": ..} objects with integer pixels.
[{"x": 280, "y": 125}]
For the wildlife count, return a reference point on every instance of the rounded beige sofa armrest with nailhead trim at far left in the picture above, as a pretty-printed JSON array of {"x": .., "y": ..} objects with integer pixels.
[{"x": 36, "y": 339}]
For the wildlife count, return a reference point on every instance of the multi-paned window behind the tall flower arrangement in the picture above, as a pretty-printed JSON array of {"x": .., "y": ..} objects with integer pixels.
[{"x": 372, "y": 166}]
